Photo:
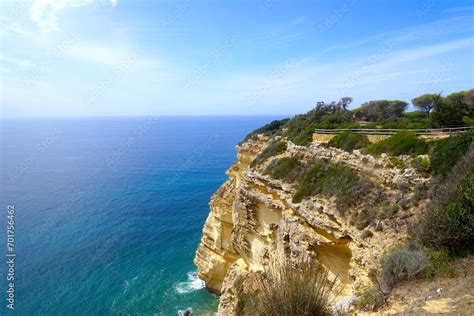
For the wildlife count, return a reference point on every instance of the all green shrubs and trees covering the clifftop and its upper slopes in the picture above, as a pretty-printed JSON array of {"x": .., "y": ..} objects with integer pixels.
[{"x": 445, "y": 230}]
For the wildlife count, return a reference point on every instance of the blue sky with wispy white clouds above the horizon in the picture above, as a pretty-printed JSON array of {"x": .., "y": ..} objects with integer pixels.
[{"x": 261, "y": 57}]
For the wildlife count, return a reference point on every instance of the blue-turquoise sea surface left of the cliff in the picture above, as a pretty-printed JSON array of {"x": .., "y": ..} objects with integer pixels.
[{"x": 109, "y": 211}]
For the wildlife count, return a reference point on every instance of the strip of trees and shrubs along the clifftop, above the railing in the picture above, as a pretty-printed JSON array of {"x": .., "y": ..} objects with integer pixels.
[{"x": 433, "y": 111}]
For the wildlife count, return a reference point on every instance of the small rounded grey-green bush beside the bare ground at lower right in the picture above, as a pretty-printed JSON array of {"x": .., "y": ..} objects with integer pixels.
[{"x": 402, "y": 264}]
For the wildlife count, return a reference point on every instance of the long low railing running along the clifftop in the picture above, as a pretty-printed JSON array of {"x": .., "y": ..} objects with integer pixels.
[{"x": 392, "y": 131}]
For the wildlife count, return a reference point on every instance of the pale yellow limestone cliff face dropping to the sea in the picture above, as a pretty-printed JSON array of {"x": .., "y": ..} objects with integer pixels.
[{"x": 252, "y": 216}]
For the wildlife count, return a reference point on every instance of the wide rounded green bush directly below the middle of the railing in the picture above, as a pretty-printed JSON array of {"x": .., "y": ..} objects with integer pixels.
[{"x": 402, "y": 143}]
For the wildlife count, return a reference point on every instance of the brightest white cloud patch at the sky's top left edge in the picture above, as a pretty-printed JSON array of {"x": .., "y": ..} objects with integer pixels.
[{"x": 45, "y": 12}]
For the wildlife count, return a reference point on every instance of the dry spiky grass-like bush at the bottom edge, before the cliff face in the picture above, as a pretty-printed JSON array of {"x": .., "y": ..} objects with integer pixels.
[{"x": 287, "y": 290}]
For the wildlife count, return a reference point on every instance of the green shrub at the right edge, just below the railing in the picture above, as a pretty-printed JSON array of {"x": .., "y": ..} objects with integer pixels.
[{"x": 444, "y": 153}]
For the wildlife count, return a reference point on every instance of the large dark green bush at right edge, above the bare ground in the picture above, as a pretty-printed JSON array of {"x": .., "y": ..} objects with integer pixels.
[{"x": 448, "y": 224}]
